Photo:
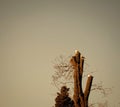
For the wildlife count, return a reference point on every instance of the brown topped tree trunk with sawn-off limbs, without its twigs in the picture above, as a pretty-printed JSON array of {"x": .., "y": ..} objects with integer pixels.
[{"x": 80, "y": 97}]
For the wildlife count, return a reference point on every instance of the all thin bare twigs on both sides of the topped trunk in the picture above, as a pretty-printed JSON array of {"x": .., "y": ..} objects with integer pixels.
[{"x": 63, "y": 76}]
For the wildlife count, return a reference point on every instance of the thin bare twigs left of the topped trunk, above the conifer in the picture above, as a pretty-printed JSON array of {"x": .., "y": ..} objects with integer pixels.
[{"x": 63, "y": 72}]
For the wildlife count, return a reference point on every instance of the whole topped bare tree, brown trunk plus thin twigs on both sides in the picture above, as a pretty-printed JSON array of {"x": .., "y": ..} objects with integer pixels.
[{"x": 64, "y": 76}]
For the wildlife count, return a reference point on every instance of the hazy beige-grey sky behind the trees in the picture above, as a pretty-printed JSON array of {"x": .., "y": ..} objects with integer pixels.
[{"x": 34, "y": 32}]
